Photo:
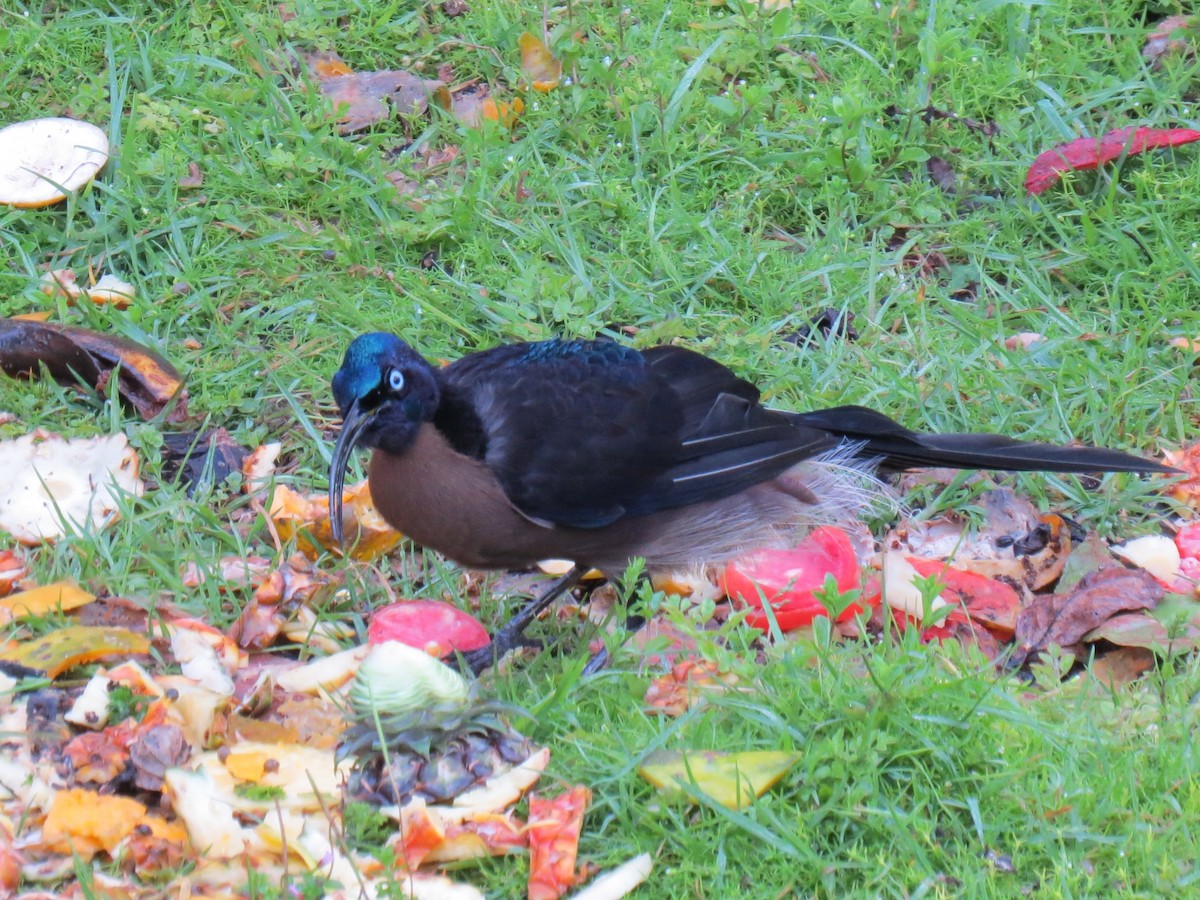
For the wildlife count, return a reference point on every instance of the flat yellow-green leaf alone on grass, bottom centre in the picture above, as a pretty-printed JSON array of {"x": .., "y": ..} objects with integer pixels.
[{"x": 730, "y": 779}]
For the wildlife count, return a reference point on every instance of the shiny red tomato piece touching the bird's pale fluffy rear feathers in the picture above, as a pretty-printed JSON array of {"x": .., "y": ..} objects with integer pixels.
[{"x": 790, "y": 579}]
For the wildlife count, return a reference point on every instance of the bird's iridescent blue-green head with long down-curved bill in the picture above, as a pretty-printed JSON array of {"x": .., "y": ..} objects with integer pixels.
[{"x": 386, "y": 391}]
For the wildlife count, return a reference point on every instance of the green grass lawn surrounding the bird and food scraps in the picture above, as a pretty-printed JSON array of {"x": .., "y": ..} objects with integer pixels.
[{"x": 691, "y": 140}]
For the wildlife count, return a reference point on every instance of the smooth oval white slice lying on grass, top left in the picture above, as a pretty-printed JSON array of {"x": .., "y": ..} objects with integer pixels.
[{"x": 43, "y": 160}]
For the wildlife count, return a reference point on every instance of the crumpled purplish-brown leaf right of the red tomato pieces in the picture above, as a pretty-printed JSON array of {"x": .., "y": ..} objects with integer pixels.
[{"x": 1065, "y": 619}]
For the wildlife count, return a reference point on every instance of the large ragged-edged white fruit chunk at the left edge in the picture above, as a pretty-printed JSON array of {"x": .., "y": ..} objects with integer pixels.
[{"x": 51, "y": 484}]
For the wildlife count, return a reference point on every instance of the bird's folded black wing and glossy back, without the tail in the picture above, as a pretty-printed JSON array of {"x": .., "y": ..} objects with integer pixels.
[{"x": 583, "y": 434}]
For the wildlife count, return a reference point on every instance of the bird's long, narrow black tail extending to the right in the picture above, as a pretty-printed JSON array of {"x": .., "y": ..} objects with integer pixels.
[{"x": 902, "y": 448}]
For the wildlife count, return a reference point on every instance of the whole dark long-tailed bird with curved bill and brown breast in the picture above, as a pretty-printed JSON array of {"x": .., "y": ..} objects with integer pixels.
[{"x": 598, "y": 453}]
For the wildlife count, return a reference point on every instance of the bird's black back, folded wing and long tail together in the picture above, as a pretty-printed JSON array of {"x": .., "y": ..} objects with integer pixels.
[{"x": 581, "y": 434}]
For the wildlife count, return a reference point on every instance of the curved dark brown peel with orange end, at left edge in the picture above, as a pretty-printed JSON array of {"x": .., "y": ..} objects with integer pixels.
[{"x": 74, "y": 356}]
